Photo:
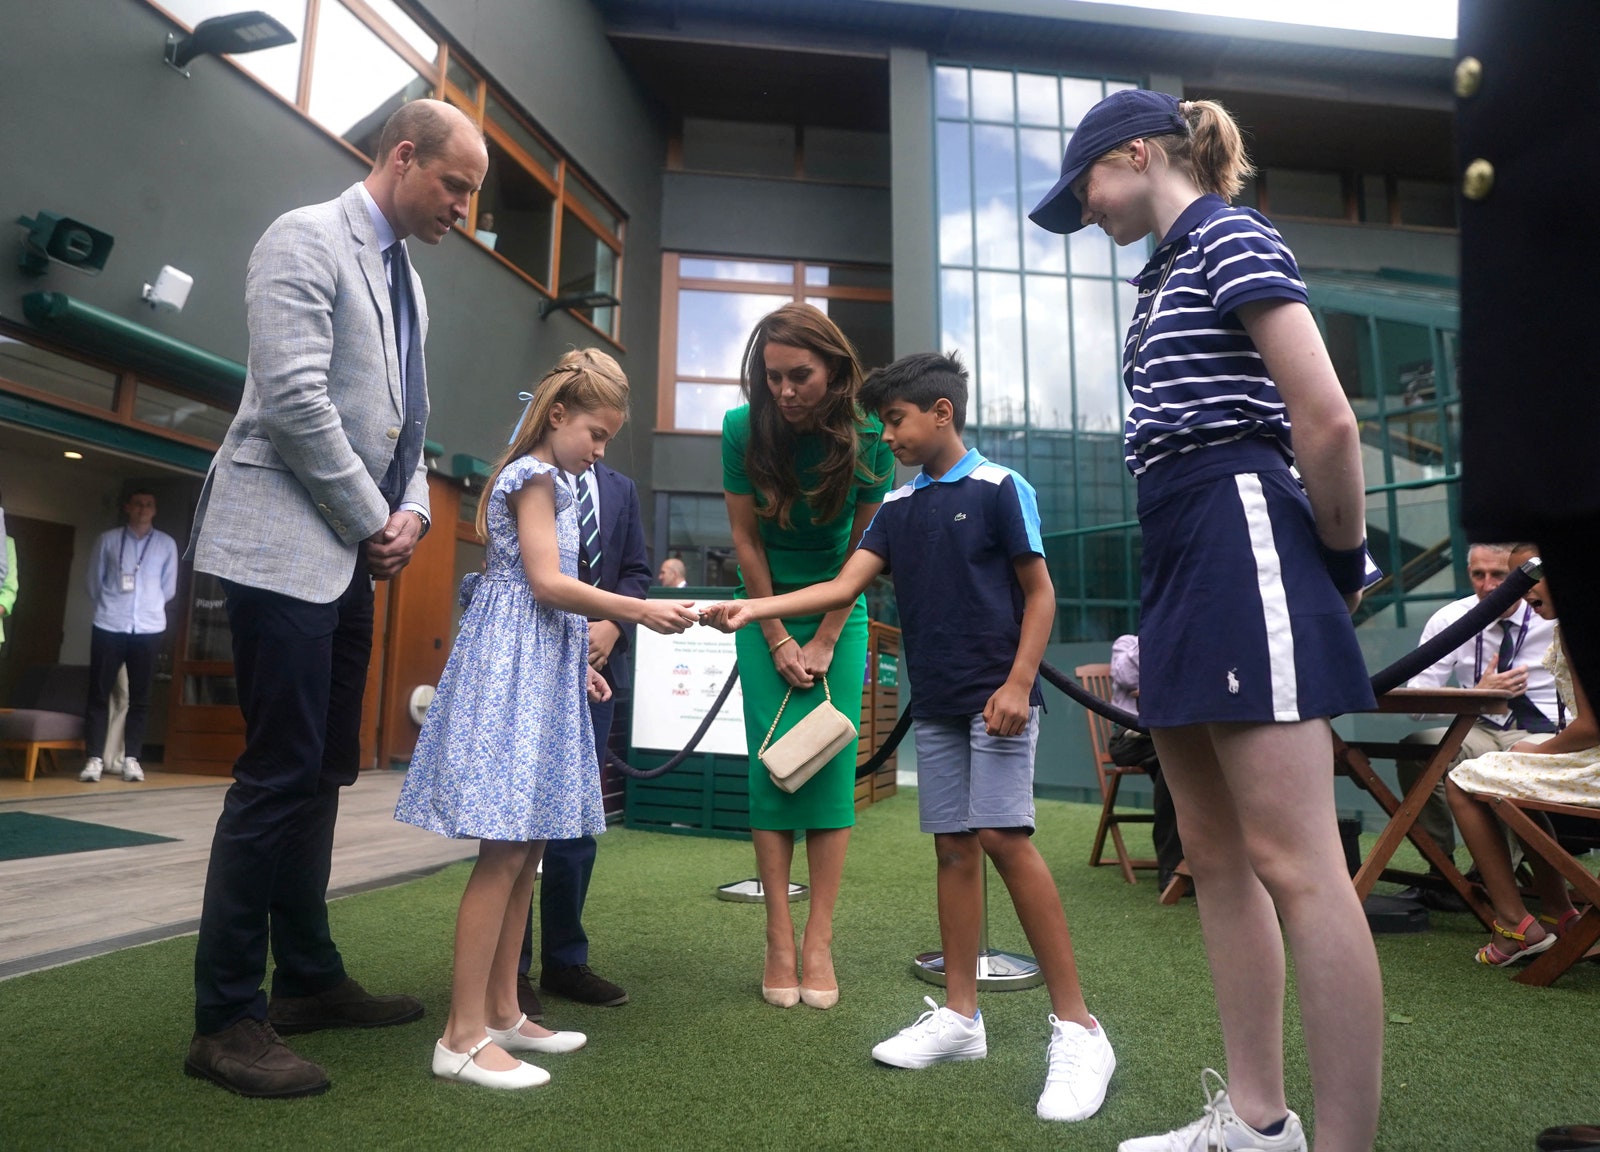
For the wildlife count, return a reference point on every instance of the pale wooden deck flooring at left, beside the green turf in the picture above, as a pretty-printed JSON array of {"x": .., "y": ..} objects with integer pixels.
[{"x": 57, "y": 910}]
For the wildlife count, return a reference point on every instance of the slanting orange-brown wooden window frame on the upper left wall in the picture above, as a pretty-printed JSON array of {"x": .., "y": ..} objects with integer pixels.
[{"x": 438, "y": 73}]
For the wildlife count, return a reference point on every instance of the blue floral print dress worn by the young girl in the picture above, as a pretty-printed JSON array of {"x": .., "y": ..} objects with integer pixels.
[{"x": 508, "y": 751}]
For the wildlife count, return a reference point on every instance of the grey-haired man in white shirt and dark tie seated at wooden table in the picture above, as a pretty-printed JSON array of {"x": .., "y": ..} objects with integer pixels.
[{"x": 1505, "y": 655}]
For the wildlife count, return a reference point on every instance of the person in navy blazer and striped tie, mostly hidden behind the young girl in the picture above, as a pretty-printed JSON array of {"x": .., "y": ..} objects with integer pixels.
[{"x": 564, "y": 946}]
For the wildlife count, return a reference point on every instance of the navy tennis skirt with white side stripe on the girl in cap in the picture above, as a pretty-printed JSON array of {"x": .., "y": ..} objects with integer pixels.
[{"x": 1241, "y": 622}]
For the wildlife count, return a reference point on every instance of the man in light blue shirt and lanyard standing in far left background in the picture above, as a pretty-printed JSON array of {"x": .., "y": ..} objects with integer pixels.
[{"x": 132, "y": 575}]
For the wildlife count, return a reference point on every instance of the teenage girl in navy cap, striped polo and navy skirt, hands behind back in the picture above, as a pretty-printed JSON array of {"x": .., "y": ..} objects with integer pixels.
[{"x": 1249, "y": 580}]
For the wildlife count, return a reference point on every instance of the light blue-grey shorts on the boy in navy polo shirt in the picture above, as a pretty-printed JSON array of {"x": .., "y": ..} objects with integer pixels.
[{"x": 969, "y": 780}]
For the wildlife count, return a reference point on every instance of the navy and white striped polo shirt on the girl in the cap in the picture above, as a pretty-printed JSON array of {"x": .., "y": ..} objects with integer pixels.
[{"x": 1199, "y": 378}]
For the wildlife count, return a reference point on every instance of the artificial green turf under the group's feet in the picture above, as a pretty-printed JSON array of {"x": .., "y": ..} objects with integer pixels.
[{"x": 92, "y": 1054}]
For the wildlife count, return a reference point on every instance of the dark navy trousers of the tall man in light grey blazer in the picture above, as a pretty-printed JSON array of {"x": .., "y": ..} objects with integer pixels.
[{"x": 302, "y": 674}]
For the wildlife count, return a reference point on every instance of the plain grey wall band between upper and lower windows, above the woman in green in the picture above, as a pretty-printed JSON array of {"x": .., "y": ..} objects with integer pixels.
[{"x": 786, "y": 220}]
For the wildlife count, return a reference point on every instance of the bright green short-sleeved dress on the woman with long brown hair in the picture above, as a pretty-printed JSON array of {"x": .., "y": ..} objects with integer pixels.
[{"x": 806, "y": 554}]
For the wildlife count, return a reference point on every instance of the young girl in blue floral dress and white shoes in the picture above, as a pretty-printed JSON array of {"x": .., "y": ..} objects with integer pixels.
[{"x": 506, "y": 754}]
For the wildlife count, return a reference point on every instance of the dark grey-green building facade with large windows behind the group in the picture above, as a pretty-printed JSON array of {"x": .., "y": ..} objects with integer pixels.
[{"x": 700, "y": 162}]
